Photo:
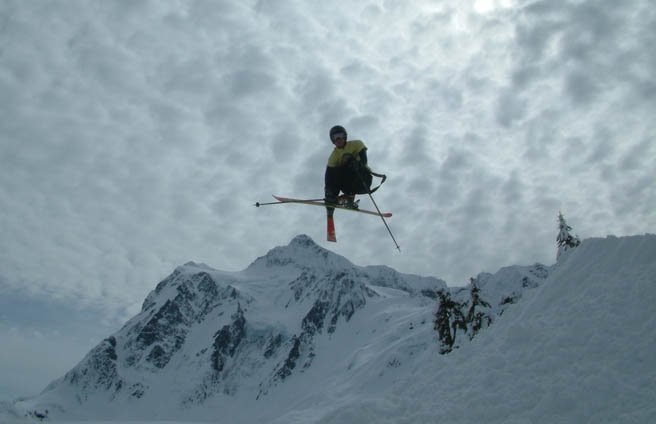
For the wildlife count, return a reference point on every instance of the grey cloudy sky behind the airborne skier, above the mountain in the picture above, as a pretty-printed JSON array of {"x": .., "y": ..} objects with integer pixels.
[{"x": 137, "y": 135}]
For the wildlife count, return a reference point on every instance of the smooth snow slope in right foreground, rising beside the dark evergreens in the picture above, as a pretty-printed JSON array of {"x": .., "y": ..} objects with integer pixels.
[{"x": 579, "y": 349}]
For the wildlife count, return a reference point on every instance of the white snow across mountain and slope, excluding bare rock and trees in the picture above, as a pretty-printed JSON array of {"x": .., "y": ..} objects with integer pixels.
[{"x": 578, "y": 345}]
